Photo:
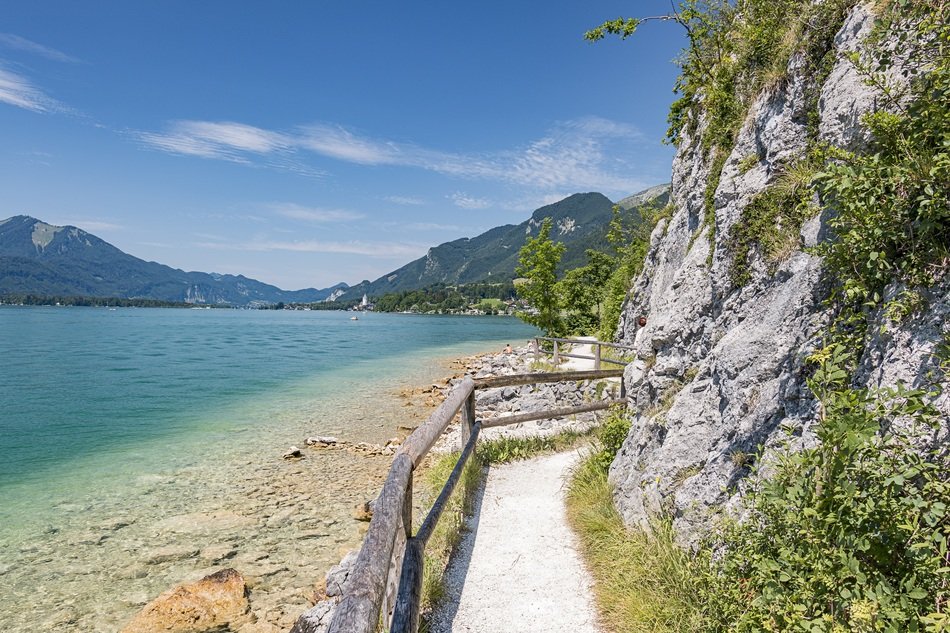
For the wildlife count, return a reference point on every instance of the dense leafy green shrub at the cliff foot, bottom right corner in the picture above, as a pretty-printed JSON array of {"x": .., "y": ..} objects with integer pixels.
[{"x": 867, "y": 516}]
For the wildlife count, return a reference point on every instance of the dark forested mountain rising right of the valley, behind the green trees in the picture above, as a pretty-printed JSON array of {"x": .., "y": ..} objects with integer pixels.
[{"x": 580, "y": 222}]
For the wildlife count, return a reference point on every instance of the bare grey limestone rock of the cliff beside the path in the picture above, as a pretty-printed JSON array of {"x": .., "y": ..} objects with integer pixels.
[{"x": 722, "y": 369}]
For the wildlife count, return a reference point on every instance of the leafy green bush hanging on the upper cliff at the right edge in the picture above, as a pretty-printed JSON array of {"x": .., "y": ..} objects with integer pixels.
[{"x": 893, "y": 203}]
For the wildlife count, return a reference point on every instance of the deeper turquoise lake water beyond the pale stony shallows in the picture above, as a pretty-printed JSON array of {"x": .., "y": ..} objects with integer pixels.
[{"x": 89, "y": 387}]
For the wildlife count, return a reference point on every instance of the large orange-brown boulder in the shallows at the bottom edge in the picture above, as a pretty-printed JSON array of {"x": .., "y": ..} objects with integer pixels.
[{"x": 214, "y": 603}]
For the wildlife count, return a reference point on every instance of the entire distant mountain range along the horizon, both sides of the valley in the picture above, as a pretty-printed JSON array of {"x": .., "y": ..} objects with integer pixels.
[{"x": 42, "y": 259}]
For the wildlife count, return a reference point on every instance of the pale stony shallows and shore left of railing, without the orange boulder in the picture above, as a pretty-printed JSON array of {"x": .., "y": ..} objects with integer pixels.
[{"x": 91, "y": 560}]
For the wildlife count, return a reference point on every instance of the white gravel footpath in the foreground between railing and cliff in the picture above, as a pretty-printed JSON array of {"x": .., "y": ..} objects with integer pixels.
[{"x": 518, "y": 569}]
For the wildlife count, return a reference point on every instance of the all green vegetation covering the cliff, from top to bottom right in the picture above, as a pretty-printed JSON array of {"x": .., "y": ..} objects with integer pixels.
[{"x": 853, "y": 533}]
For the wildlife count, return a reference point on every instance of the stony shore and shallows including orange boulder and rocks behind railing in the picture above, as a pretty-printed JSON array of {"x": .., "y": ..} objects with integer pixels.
[{"x": 163, "y": 547}]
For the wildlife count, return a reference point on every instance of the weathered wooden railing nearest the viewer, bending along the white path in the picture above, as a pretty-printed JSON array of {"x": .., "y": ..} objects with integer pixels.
[{"x": 390, "y": 551}]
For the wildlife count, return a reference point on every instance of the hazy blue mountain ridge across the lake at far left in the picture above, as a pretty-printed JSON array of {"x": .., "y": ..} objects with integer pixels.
[{"x": 42, "y": 259}]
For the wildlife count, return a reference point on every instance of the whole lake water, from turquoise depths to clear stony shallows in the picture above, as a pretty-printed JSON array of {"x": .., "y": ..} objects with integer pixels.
[{"x": 138, "y": 415}]
